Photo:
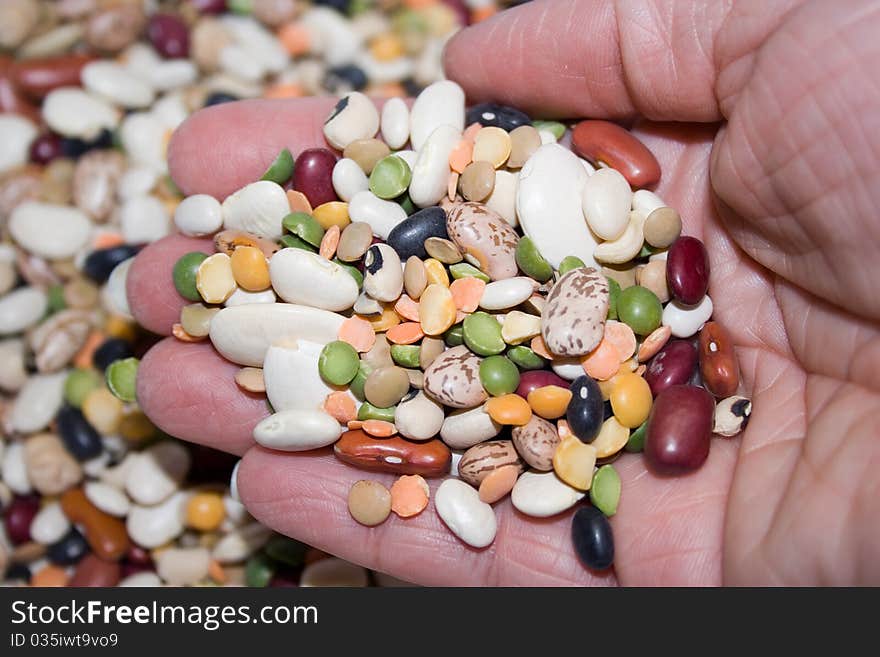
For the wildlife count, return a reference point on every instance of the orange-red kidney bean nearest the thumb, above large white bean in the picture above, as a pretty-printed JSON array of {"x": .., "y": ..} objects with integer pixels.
[{"x": 609, "y": 143}]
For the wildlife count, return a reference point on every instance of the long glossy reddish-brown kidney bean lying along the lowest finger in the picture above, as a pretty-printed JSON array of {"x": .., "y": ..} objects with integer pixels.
[{"x": 394, "y": 455}]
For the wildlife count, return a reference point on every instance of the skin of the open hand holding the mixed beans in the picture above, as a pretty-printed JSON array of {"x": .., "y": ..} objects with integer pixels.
[{"x": 764, "y": 117}]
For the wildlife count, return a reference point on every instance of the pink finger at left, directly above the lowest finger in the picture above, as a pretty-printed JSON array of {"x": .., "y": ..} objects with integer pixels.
[{"x": 189, "y": 391}]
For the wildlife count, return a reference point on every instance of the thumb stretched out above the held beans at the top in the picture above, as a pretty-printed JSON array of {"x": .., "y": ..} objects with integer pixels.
[{"x": 607, "y": 58}]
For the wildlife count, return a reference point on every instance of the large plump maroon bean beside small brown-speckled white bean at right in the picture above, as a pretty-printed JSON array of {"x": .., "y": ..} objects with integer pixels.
[{"x": 679, "y": 430}]
